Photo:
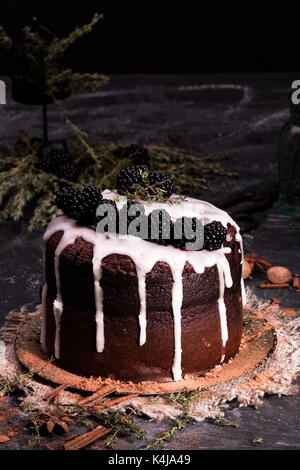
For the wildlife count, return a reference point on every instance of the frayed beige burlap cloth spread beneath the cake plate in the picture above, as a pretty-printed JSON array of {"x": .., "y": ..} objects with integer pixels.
[{"x": 275, "y": 376}]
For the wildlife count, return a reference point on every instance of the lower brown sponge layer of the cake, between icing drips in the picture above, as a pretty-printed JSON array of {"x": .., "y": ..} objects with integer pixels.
[{"x": 123, "y": 358}]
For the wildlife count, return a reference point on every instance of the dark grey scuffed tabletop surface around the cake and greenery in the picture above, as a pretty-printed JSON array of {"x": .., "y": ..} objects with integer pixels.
[{"x": 238, "y": 115}]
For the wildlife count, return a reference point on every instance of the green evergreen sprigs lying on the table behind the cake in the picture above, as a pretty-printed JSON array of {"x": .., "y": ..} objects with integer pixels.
[{"x": 22, "y": 182}]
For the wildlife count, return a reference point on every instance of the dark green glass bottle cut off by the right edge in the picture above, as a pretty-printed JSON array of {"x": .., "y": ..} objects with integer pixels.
[{"x": 289, "y": 164}]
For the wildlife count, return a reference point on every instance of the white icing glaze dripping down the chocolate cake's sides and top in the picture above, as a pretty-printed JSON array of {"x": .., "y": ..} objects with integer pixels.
[{"x": 145, "y": 255}]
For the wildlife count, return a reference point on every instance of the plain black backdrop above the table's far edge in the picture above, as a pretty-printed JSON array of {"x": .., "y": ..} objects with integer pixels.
[{"x": 169, "y": 37}]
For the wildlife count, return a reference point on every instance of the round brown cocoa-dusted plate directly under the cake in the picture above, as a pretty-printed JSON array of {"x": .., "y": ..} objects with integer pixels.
[{"x": 257, "y": 345}]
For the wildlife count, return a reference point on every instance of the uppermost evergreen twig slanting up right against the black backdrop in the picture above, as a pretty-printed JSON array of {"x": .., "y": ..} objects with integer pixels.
[{"x": 59, "y": 46}]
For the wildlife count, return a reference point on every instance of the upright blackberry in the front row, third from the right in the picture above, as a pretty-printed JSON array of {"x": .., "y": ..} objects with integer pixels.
[{"x": 160, "y": 227}]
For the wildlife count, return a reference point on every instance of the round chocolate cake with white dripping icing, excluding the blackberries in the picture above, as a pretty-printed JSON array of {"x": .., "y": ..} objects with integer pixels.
[{"x": 123, "y": 307}]
